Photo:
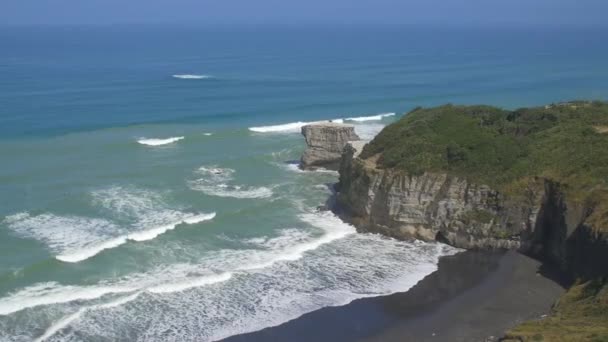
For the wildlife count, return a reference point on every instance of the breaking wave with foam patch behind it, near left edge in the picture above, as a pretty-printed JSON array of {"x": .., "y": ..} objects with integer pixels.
[{"x": 139, "y": 216}]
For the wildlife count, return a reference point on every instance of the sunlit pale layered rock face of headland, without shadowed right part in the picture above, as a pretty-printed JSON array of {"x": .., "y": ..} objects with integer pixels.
[{"x": 432, "y": 206}]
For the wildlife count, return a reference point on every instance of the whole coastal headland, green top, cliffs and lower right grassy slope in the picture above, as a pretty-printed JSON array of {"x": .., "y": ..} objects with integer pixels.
[{"x": 479, "y": 177}]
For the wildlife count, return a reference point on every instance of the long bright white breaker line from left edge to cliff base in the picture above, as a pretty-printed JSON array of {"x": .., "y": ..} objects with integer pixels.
[{"x": 280, "y": 249}]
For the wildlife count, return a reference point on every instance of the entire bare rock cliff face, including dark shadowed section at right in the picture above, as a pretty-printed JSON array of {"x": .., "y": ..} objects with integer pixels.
[{"x": 439, "y": 206}]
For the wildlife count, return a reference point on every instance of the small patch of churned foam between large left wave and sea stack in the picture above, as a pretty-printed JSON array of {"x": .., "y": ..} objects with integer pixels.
[{"x": 216, "y": 181}]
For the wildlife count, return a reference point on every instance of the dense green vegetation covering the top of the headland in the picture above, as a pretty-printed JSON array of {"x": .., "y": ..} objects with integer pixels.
[{"x": 566, "y": 142}]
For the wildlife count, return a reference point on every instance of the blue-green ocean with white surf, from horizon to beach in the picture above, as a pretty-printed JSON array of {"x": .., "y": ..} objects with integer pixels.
[{"x": 149, "y": 185}]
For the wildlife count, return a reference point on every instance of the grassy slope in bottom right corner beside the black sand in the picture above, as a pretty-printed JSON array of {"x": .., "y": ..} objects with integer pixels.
[{"x": 581, "y": 314}]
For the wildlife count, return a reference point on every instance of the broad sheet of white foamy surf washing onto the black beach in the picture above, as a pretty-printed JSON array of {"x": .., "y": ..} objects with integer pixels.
[{"x": 271, "y": 281}]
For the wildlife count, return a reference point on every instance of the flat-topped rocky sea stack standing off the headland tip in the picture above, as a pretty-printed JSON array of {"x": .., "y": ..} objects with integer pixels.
[{"x": 326, "y": 142}]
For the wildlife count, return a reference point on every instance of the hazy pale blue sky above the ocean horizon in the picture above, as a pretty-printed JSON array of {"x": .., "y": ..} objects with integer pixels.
[{"x": 439, "y": 13}]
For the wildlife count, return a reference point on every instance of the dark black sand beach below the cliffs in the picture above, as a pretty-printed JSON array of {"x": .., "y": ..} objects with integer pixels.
[{"x": 473, "y": 296}]
